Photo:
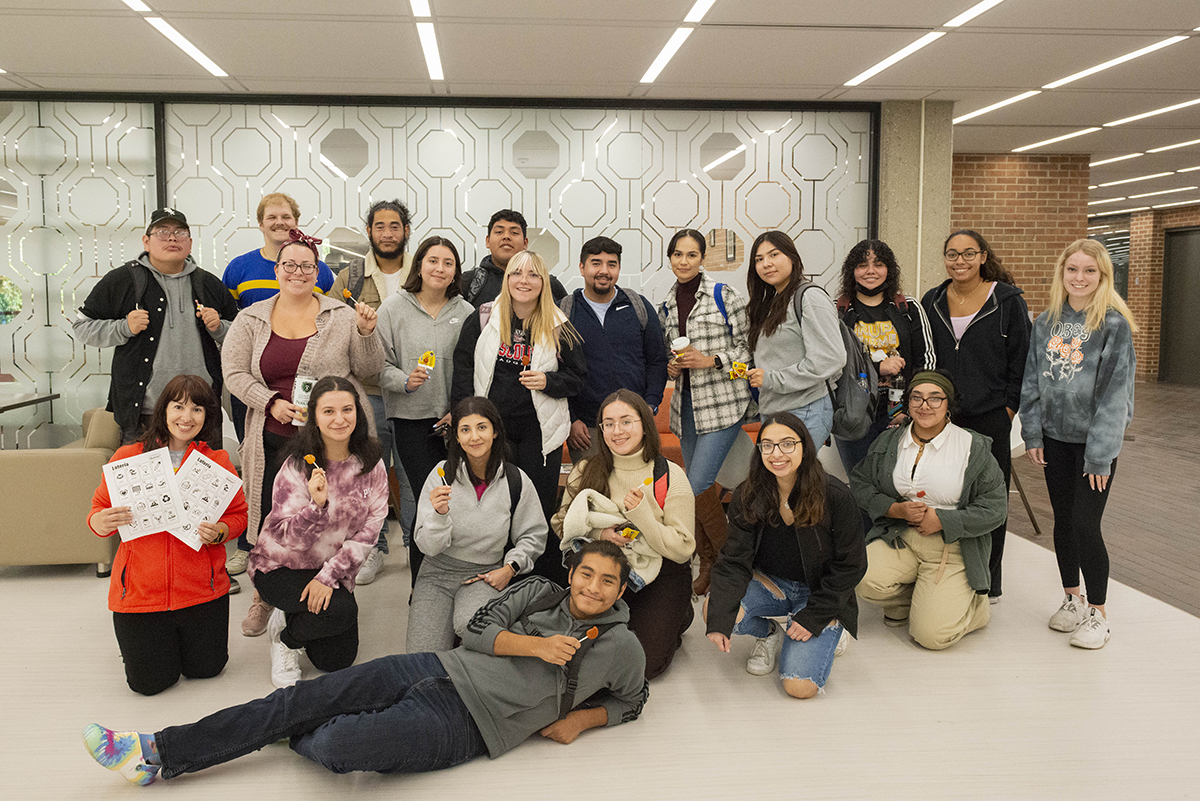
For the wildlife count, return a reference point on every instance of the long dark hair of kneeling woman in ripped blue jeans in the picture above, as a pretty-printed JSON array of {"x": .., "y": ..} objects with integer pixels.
[{"x": 760, "y": 491}]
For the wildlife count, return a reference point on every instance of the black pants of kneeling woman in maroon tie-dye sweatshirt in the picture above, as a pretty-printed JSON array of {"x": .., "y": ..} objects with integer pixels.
[{"x": 332, "y": 636}]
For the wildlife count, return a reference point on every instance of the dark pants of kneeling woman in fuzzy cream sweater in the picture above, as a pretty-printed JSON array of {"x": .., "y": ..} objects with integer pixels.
[{"x": 661, "y": 613}]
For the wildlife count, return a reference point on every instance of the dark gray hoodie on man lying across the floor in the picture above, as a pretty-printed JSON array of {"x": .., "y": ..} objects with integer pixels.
[{"x": 511, "y": 697}]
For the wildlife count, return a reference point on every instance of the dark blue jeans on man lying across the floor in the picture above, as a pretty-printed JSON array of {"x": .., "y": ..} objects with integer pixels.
[{"x": 398, "y": 714}]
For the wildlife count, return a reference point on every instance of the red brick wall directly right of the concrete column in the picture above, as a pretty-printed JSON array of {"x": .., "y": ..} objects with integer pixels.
[{"x": 1029, "y": 208}]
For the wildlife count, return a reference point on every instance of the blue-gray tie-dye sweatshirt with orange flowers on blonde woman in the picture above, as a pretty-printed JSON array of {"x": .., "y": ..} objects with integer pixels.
[{"x": 1079, "y": 386}]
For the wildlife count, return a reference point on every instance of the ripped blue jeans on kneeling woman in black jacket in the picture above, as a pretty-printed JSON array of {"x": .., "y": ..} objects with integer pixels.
[{"x": 811, "y": 660}]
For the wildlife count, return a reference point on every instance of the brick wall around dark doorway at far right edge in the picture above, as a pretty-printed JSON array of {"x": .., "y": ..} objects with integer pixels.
[{"x": 1148, "y": 236}]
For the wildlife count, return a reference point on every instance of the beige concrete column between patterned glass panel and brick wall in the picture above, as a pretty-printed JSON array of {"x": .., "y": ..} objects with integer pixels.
[{"x": 916, "y": 158}]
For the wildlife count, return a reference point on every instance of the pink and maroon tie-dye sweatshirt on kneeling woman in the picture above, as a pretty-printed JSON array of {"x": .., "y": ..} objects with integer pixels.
[{"x": 335, "y": 539}]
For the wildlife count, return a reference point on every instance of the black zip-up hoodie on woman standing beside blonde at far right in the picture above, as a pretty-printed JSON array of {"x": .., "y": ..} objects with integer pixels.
[{"x": 988, "y": 363}]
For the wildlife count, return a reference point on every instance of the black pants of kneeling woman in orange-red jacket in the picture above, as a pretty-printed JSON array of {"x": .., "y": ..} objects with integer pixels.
[{"x": 160, "y": 647}]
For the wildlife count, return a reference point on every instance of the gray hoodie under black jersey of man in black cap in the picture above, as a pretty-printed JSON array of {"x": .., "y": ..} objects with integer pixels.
[{"x": 179, "y": 351}]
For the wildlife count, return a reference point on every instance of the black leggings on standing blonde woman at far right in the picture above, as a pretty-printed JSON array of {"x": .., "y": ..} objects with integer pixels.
[{"x": 1078, "y": 510}]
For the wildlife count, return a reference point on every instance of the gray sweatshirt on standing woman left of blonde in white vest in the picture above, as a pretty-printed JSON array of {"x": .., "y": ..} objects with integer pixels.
[{"x": 407, "y": 332}]
